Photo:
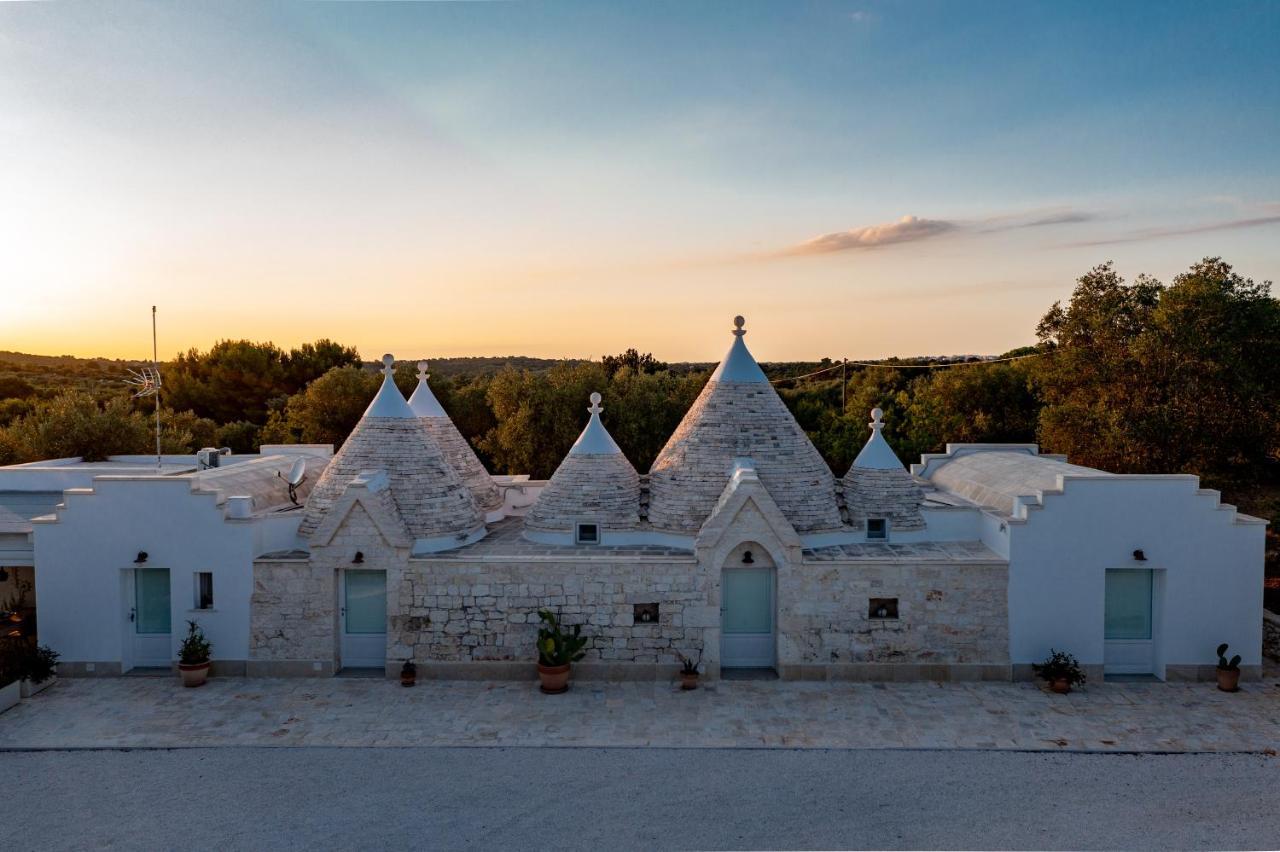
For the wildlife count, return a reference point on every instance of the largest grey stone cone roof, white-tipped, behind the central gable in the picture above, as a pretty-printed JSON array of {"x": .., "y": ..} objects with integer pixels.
[{"x": 740, "y": 415}]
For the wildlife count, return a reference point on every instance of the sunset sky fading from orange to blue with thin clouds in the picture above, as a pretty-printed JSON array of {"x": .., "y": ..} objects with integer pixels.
[{"x": 858, "y": 180}]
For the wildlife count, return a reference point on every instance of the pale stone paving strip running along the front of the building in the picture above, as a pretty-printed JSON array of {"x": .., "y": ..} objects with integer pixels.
[{"x": 158, "y": 713}]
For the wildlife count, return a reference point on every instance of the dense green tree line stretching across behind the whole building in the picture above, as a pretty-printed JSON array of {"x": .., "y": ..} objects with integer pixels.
[{"x": 1130, "y": 377}]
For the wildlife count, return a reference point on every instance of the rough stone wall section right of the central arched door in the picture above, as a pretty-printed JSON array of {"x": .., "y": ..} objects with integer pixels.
[{"x": 948, "y": 615}]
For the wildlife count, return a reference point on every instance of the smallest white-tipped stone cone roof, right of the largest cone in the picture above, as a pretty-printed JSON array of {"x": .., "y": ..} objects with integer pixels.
[{"x": 879, "y": 487}]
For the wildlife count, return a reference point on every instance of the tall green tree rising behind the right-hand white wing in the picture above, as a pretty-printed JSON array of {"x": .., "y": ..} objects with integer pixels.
[{"x": 1146, "y": 378}]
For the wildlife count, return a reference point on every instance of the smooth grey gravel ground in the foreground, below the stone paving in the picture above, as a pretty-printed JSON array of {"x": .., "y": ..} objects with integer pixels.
[{"x": 621, "y": 799}]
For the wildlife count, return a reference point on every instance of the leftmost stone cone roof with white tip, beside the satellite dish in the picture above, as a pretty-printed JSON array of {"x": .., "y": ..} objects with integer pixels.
[{"x": 431, "y": 498}]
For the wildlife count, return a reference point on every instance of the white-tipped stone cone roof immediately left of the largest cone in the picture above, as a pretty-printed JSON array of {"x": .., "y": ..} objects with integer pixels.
[{"x": 595, "y": 484}]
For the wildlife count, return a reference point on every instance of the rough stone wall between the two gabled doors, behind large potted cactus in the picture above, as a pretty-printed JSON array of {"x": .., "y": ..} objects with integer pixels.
[{"x": 470, "y": 612}]
